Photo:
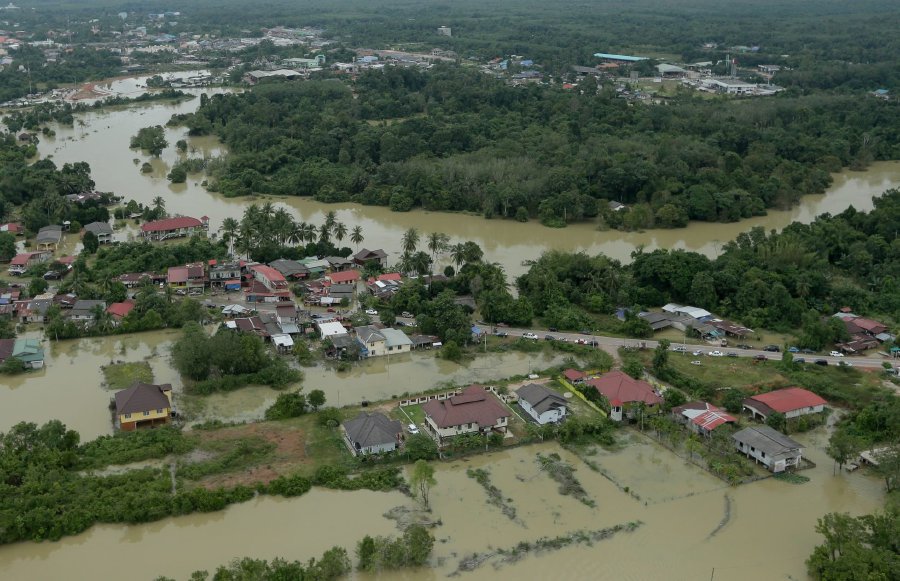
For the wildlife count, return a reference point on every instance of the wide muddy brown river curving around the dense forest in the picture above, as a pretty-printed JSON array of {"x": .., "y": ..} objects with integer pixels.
[{"x": 101, "y": 138}]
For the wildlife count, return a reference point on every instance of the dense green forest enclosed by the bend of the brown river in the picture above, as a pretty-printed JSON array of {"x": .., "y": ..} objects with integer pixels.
[{"x": 455, "y": 139}]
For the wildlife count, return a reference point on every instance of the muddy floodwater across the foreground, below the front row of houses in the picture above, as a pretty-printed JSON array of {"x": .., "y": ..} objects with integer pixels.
[{"x": 766, "y": 533}]
